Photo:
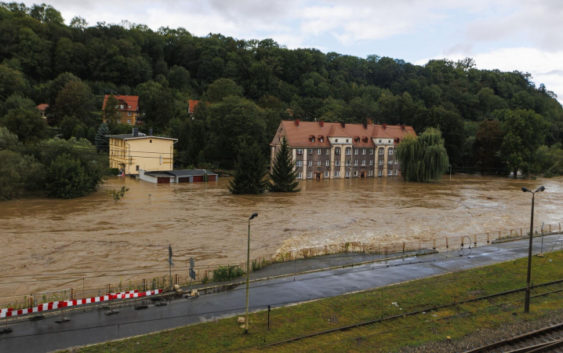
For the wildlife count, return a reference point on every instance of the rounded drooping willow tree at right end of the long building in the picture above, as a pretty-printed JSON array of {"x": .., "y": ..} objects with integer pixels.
[{"x": 423, "y": 158}]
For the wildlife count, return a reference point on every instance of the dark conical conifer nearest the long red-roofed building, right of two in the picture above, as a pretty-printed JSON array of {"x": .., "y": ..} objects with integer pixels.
[{"x": 284, "y": 176}]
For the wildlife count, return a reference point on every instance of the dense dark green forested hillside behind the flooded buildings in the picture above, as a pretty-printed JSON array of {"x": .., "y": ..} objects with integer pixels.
[{"x": 491, "y": 121}]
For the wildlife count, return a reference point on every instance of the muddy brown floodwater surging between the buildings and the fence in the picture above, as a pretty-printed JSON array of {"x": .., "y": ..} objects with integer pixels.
[{"x": 47, "y": 244}]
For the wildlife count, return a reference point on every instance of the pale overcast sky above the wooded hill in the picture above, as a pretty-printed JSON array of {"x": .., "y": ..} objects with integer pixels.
[{"x": 523, "y": 35}]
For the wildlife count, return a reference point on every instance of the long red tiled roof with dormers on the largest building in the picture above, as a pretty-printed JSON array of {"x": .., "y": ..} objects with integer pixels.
[{"x": 300, "y": 133}]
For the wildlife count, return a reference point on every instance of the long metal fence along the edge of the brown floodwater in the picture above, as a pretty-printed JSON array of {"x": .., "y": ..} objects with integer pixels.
[{"x": 78, "y": 286}]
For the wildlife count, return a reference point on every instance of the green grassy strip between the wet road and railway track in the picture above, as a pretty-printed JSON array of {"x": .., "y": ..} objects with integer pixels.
[{"x": 447, "y": 324}]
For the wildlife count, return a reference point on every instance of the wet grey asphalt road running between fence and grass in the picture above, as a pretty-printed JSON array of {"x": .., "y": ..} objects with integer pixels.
[{"x": 94, "y": 326}]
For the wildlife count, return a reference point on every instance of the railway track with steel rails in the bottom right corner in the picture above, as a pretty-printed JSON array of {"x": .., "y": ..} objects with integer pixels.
[{"x": 546, "y": 339}]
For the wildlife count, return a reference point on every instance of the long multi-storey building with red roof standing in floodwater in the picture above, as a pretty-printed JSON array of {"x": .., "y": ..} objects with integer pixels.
[{"x": 338, "y": 150}]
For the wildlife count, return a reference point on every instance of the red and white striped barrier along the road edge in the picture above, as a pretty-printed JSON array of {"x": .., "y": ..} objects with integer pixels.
[{"x": 10, "y": 312}]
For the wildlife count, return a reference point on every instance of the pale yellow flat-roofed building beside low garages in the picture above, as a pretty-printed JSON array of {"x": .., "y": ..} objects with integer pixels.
[{"x": 133, "y": 152}]
